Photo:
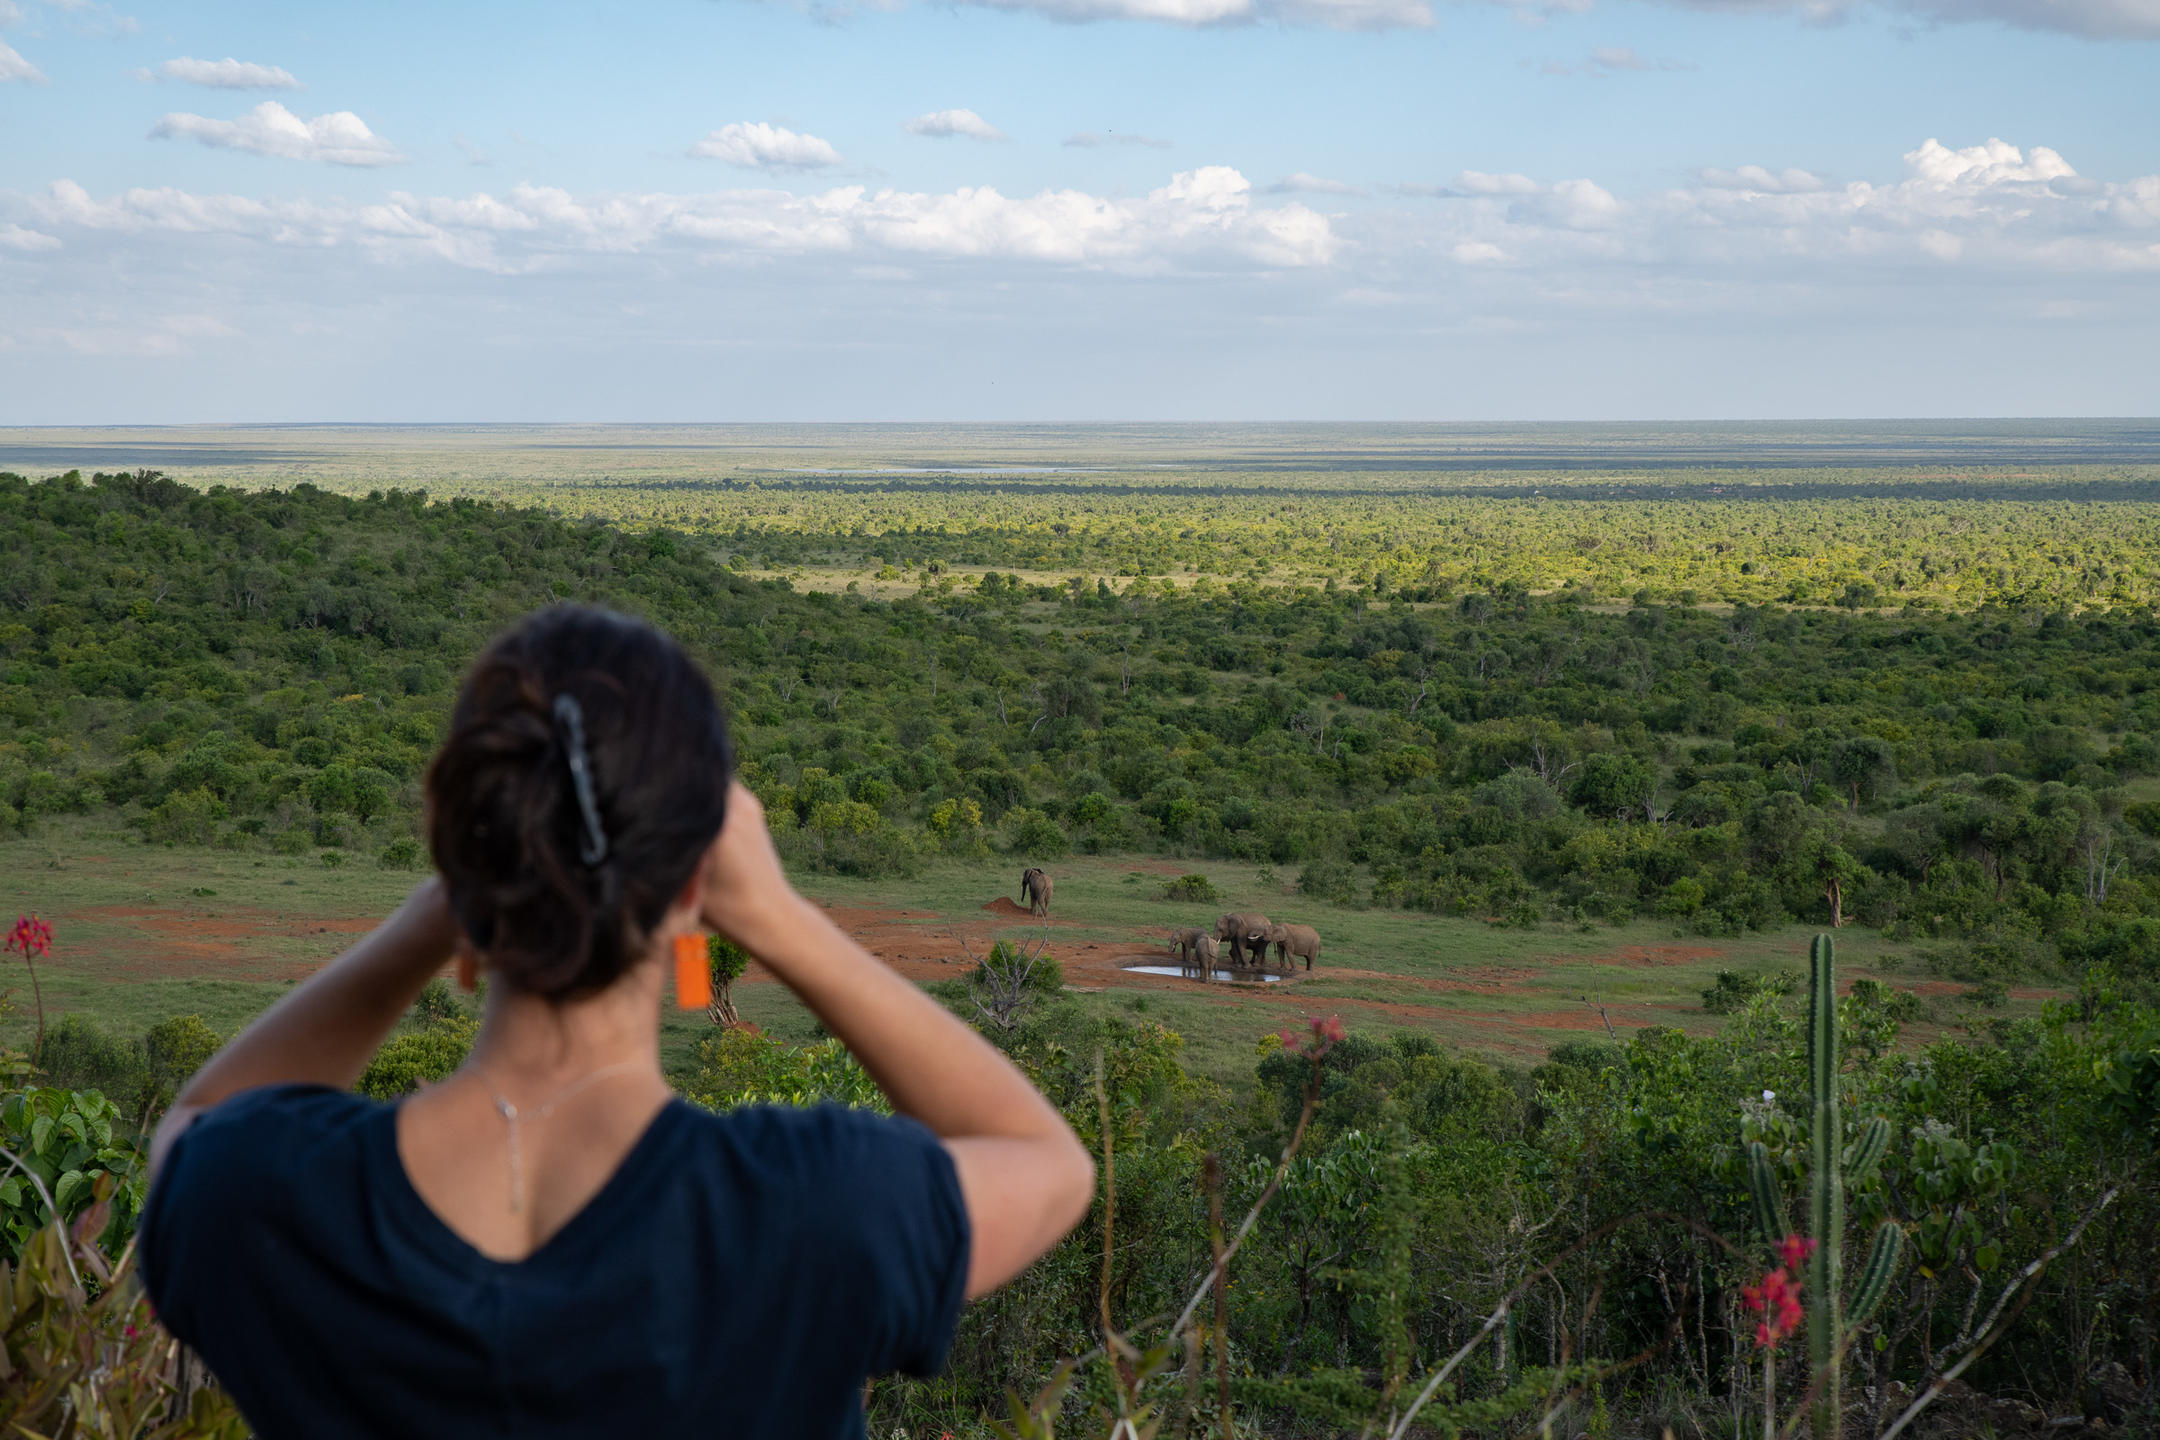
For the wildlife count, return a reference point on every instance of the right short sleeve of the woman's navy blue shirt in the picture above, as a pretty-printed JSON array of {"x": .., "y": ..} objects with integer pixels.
[{"x": 897, "y": 1236}]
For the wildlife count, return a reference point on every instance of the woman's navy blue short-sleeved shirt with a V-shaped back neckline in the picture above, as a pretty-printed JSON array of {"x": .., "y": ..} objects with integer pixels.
[{"x": 740, "y": 1275}]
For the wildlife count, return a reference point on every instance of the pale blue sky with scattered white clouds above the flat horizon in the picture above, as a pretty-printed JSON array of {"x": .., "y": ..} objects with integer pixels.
[{"x": 1079, "y": 210}]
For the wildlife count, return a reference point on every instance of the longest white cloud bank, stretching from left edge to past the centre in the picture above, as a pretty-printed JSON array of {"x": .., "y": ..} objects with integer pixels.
[{"x": 1200, "y": 219}]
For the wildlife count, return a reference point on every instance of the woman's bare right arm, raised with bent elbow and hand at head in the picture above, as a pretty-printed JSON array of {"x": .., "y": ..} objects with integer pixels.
[{"x": 1025, "y": 1176}]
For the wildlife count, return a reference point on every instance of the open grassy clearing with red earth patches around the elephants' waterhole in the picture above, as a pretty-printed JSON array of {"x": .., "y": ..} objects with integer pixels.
[{"x": 150, "y": 932}]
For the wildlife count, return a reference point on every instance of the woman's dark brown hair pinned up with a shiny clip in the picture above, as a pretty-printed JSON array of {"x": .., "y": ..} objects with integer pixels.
[{"x": 558, "y": 875}]
